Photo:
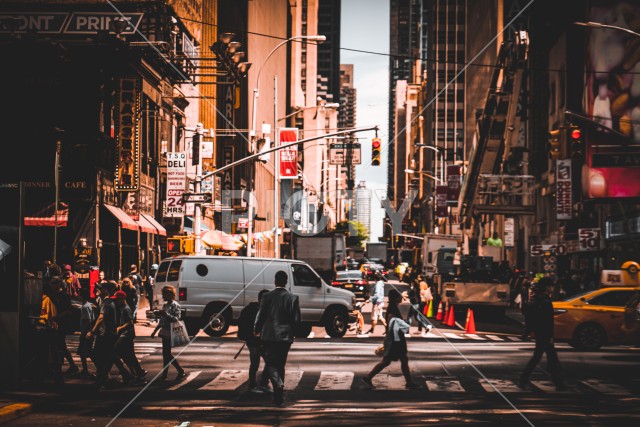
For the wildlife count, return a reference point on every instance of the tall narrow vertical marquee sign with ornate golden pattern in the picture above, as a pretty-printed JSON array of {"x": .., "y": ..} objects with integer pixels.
[{"x": 126, "y": 132}]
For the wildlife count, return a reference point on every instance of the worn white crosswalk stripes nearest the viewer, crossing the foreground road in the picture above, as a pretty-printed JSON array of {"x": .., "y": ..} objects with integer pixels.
[{"x": 237, "y": 380}]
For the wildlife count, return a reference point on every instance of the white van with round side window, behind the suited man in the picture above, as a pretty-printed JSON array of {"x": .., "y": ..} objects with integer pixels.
[{"x": 207, "y": 285}]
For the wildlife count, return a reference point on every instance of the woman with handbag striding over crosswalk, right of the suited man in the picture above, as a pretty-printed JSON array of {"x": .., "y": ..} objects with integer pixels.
[{"x": 395, "y": 344}]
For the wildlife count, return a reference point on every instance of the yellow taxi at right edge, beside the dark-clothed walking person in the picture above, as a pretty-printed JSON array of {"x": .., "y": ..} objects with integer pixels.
[{"x": 594, "y": 318}]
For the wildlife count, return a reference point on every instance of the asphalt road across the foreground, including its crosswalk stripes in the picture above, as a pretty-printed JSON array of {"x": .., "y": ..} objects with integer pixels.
[{"x": 464, "y": 379}]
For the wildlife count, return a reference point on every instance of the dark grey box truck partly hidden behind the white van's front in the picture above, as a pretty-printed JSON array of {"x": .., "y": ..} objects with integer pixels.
[{"x": 325, "y": 253}]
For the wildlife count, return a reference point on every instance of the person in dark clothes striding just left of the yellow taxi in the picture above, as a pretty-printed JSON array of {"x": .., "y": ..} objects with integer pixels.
[{"x": 539, "y": 320}]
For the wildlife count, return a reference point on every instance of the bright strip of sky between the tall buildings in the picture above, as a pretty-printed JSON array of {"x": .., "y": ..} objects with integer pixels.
[{"x": 365, "y": 26}]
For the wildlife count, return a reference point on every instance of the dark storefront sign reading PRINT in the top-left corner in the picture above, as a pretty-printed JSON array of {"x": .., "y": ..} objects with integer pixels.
[{"x": 66, "y": 22}]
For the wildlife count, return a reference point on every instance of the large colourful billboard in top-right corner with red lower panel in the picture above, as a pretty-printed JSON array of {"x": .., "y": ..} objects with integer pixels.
[{"x": 611, "y": 93}]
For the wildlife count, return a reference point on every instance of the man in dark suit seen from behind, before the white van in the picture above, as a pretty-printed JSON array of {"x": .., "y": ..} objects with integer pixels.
[{"x": 278, "y": 316}]
